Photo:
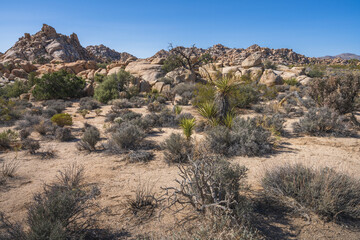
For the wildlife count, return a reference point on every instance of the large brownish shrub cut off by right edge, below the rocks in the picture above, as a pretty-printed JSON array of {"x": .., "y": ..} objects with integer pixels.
[{"x": 337, "y": 92}]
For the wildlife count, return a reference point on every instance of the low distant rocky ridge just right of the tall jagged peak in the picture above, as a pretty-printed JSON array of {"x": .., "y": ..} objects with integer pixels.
[{"x": 105, "y": 54}]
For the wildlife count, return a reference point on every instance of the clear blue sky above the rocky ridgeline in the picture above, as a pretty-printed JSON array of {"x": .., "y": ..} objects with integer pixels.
[{"x": 313, "y": 28}]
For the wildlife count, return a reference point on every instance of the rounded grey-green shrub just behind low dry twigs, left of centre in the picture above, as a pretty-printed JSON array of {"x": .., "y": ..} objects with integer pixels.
[{"x": 126, "y": 137}]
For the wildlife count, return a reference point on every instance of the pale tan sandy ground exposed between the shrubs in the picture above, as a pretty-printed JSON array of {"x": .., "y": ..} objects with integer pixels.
[{"x": 118, "y": 179}]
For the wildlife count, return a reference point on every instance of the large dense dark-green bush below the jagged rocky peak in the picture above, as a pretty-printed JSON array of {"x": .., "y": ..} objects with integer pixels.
[{"x": 58, "y": 85}]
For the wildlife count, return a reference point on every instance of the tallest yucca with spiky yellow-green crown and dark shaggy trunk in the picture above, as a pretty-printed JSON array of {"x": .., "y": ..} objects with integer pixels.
[{"x": 224, "y": 88}]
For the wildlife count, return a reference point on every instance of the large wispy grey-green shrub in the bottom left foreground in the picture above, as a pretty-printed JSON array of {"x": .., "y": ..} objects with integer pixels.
[{"x": 64, "y": 210}]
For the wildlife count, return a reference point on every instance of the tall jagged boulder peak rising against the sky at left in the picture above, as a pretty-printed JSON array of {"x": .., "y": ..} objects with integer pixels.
[{"x": 47, "y": 45}]
